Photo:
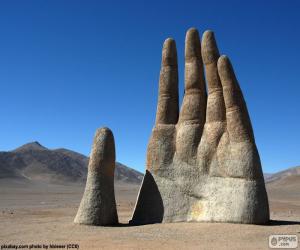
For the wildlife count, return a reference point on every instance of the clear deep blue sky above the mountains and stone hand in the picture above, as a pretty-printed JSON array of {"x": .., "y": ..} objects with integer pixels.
[{"x": 69, "y": 67}]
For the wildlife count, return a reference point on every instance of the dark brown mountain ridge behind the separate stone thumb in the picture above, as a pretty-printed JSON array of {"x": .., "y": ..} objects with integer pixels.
[{"x": 33, "y": 161}]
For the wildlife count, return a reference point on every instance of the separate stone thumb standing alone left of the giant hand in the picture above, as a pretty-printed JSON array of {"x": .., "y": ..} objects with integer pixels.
[{"x": 98, "y": 204}]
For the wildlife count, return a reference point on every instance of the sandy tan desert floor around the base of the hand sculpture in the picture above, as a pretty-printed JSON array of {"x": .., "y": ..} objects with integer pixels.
[{"x": 43, "y": 214}]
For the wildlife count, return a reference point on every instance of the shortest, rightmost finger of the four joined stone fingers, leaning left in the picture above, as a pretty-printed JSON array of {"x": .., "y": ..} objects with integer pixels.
[{"x": 237, "y": 117}]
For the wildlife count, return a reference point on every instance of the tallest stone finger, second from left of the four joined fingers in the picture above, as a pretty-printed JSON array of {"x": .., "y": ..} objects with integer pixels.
[{"x": 192, "y": 114}]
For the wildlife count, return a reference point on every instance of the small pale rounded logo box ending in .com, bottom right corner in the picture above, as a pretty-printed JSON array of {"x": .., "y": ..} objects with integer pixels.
[{"x": 283, "y": 241}]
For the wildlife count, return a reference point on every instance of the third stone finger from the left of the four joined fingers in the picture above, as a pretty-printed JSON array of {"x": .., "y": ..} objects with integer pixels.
[{"x": 215, "y": 103}]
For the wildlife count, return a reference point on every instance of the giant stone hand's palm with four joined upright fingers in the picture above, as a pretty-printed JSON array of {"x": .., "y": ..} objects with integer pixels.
[{"x": 202, "y": 163}]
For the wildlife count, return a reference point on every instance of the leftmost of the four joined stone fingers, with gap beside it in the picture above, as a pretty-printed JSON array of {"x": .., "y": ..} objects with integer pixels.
[{"x": 167, "y": 107}]
